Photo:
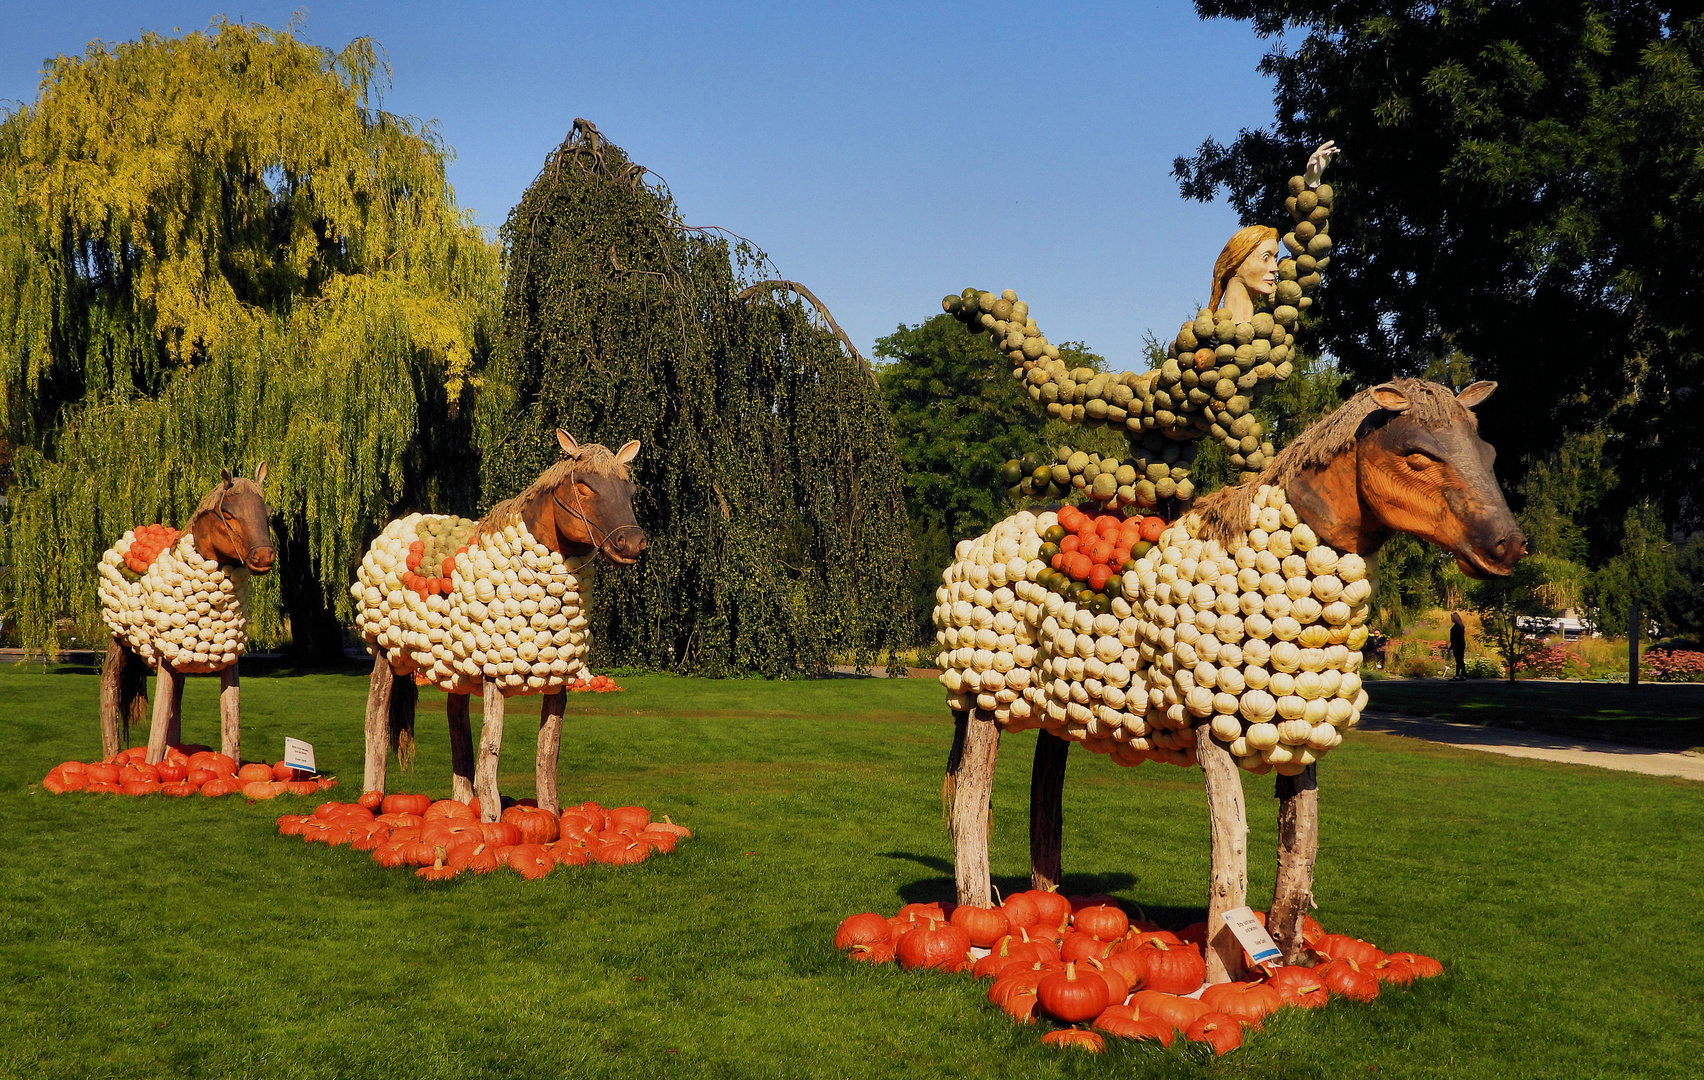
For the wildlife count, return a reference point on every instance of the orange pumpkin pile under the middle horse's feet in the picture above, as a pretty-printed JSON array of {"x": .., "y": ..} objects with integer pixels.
[{"x": 442, "y": 839}]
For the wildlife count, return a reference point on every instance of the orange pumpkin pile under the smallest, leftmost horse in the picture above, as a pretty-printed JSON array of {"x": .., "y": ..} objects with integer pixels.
[{"x": 181, "y": 773}]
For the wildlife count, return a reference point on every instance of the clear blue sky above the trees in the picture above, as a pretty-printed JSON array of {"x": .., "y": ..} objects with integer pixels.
[{"x": 882, "y": 154}]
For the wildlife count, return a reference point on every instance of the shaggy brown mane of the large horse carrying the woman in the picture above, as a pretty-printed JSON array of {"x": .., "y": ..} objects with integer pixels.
[{"x": 1224, "y": 514}]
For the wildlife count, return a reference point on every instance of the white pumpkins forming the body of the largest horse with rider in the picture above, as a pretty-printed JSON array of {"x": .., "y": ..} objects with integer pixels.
[{"x": 1260, "y": 646}]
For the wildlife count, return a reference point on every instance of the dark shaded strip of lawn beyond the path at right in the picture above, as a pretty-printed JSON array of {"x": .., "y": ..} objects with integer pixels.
[{"x": 1667, "y": 716}]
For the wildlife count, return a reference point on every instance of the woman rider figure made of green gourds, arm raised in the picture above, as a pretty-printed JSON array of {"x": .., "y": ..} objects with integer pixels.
[{"x": 1231, "y": 352}]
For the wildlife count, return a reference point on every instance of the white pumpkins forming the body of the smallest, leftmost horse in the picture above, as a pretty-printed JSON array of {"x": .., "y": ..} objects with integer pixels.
[{"x": 185, "y": 609}]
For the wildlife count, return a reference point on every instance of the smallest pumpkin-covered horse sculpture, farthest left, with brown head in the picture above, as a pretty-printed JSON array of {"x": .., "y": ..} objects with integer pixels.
[{"x": 180, "y": 604}]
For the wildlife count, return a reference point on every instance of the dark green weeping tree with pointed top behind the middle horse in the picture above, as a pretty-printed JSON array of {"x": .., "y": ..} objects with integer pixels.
[{"x": 768, "y": 478}]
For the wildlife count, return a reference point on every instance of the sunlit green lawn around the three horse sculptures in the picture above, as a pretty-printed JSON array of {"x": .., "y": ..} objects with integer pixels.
[{"x": 151, "y": 938}]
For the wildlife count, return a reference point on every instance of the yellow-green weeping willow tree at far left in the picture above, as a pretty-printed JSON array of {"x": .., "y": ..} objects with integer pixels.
[{"x": 216, "y": 250}]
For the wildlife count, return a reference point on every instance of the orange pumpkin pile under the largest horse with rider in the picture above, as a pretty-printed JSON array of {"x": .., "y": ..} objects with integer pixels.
[{"x": 1083, "y": 962}]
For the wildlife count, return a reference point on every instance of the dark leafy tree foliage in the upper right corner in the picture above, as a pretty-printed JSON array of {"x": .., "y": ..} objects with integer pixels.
[{"x": 1524, "y": 187}]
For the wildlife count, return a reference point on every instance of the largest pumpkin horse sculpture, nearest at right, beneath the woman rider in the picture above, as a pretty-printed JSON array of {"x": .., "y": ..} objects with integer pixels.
[{"x": 1233, "y": 643}]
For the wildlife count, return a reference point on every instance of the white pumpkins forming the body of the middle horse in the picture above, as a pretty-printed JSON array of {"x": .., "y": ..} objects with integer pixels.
[{"x": 512, "y": 614}]
